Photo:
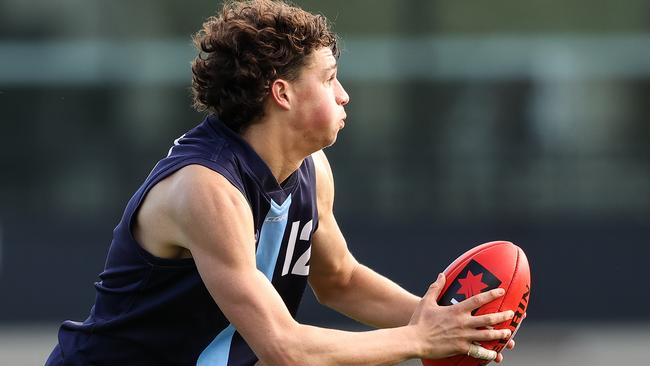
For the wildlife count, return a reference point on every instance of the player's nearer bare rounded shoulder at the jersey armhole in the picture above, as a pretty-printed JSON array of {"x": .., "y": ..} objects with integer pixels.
[{"x": 189, "y": 201}]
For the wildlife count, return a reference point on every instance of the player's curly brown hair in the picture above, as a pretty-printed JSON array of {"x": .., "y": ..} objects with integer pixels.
[{"x": 245, "y": 48}]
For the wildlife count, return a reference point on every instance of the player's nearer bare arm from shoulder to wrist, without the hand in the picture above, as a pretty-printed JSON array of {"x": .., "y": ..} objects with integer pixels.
[{"x": 217, "y": 226}]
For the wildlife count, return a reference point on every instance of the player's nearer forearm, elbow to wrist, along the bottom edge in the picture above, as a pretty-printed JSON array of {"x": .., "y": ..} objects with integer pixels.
[{"x": 309, "y": 345}]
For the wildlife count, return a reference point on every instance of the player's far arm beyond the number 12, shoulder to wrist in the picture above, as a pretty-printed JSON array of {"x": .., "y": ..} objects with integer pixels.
[{"x": 342, "y": 283}]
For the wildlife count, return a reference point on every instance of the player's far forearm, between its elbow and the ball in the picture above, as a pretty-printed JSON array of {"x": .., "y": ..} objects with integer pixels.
[{"x": 373, "y": 299}]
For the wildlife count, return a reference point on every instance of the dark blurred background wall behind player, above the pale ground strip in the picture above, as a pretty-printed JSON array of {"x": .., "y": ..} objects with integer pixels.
[{"x": 468, "y": 122}]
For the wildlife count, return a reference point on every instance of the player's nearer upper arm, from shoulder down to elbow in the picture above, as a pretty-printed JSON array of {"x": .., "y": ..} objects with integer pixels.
[{"x": 218, "y": 230}]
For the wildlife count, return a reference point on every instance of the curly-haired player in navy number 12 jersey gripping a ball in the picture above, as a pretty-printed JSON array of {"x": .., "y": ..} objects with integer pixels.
[{"x": 211, "y": 257}]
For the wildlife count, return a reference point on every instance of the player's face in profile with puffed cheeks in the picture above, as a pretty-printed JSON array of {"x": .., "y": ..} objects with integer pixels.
[{"x": 320, "y": 100}]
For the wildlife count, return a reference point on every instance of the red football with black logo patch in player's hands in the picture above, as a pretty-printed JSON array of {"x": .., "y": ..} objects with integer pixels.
[{"x": 483, "y": 268}]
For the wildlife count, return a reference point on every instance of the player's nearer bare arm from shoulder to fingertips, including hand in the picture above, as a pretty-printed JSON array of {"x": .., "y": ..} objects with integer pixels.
[{"x": 213, "y": 221}]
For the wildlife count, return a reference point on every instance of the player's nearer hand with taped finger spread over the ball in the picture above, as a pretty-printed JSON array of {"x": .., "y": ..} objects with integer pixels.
[{"x": 446, "y": 331}]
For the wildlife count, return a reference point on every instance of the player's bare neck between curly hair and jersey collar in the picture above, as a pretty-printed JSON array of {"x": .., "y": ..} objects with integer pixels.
[{"x": 276, "y": 147}]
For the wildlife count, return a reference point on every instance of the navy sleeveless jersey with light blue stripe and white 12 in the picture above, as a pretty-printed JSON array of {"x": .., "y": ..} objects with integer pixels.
[{"x": 155, "y": 311}]
